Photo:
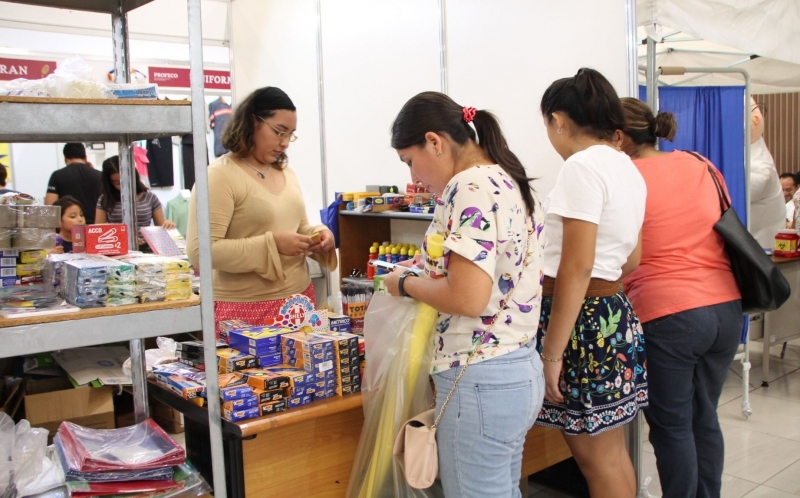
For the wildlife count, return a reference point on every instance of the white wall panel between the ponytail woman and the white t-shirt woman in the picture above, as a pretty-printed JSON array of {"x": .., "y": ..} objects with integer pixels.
[{"x": 502, "y": 56}]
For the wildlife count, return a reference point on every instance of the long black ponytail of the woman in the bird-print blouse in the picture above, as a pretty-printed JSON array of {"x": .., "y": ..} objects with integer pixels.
[{"x": 492, "y": 141}]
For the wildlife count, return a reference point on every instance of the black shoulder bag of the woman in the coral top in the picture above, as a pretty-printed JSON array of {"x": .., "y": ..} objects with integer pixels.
[{"x": 761, "y": 283}]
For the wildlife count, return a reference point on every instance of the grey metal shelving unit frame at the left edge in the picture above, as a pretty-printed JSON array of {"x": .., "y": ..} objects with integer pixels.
[{"x": 127, "y": 121}]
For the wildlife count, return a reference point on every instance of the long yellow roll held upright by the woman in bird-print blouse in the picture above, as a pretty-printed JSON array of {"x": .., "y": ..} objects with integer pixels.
[{"x": 420, "y": 340}]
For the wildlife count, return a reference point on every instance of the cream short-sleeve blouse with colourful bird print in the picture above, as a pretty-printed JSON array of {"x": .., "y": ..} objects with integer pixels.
[{"x": 483, "y": 219}]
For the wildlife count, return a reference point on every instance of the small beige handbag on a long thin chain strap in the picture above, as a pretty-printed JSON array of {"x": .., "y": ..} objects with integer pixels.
[{"x": 416, "y": 440}]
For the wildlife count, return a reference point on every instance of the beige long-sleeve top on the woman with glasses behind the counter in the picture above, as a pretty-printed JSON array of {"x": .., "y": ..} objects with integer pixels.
[{"x": 243, "y": 217}]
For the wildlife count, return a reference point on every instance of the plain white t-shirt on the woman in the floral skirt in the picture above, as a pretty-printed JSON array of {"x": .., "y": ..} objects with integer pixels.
[{"x": 602, "y": 186}]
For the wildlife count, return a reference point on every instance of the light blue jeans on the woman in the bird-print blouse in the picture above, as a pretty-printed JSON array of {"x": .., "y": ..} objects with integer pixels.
[{"x": 483, "y": 429}]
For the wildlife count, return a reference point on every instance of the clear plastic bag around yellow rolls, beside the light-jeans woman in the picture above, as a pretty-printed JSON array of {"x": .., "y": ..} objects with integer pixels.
[{"x": 396, "y": 387}]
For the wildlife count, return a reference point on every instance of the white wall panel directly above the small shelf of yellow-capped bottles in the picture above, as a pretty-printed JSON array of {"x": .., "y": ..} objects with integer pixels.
[{"x": 377, "y": 54}]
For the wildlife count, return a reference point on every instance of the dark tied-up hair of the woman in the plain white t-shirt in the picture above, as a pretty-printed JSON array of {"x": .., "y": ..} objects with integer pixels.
[{"x": 589, "y": 100}]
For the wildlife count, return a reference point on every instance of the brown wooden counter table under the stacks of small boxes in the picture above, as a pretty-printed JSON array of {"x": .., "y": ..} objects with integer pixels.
[{"x": 307, "y": 451}]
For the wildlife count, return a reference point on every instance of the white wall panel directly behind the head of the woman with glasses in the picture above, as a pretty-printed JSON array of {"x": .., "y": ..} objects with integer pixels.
[{"x": 275, "y": 44}]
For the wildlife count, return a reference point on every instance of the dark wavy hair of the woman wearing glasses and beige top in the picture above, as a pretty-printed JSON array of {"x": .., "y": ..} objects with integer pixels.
[{"x": 238, "y": 135}]
